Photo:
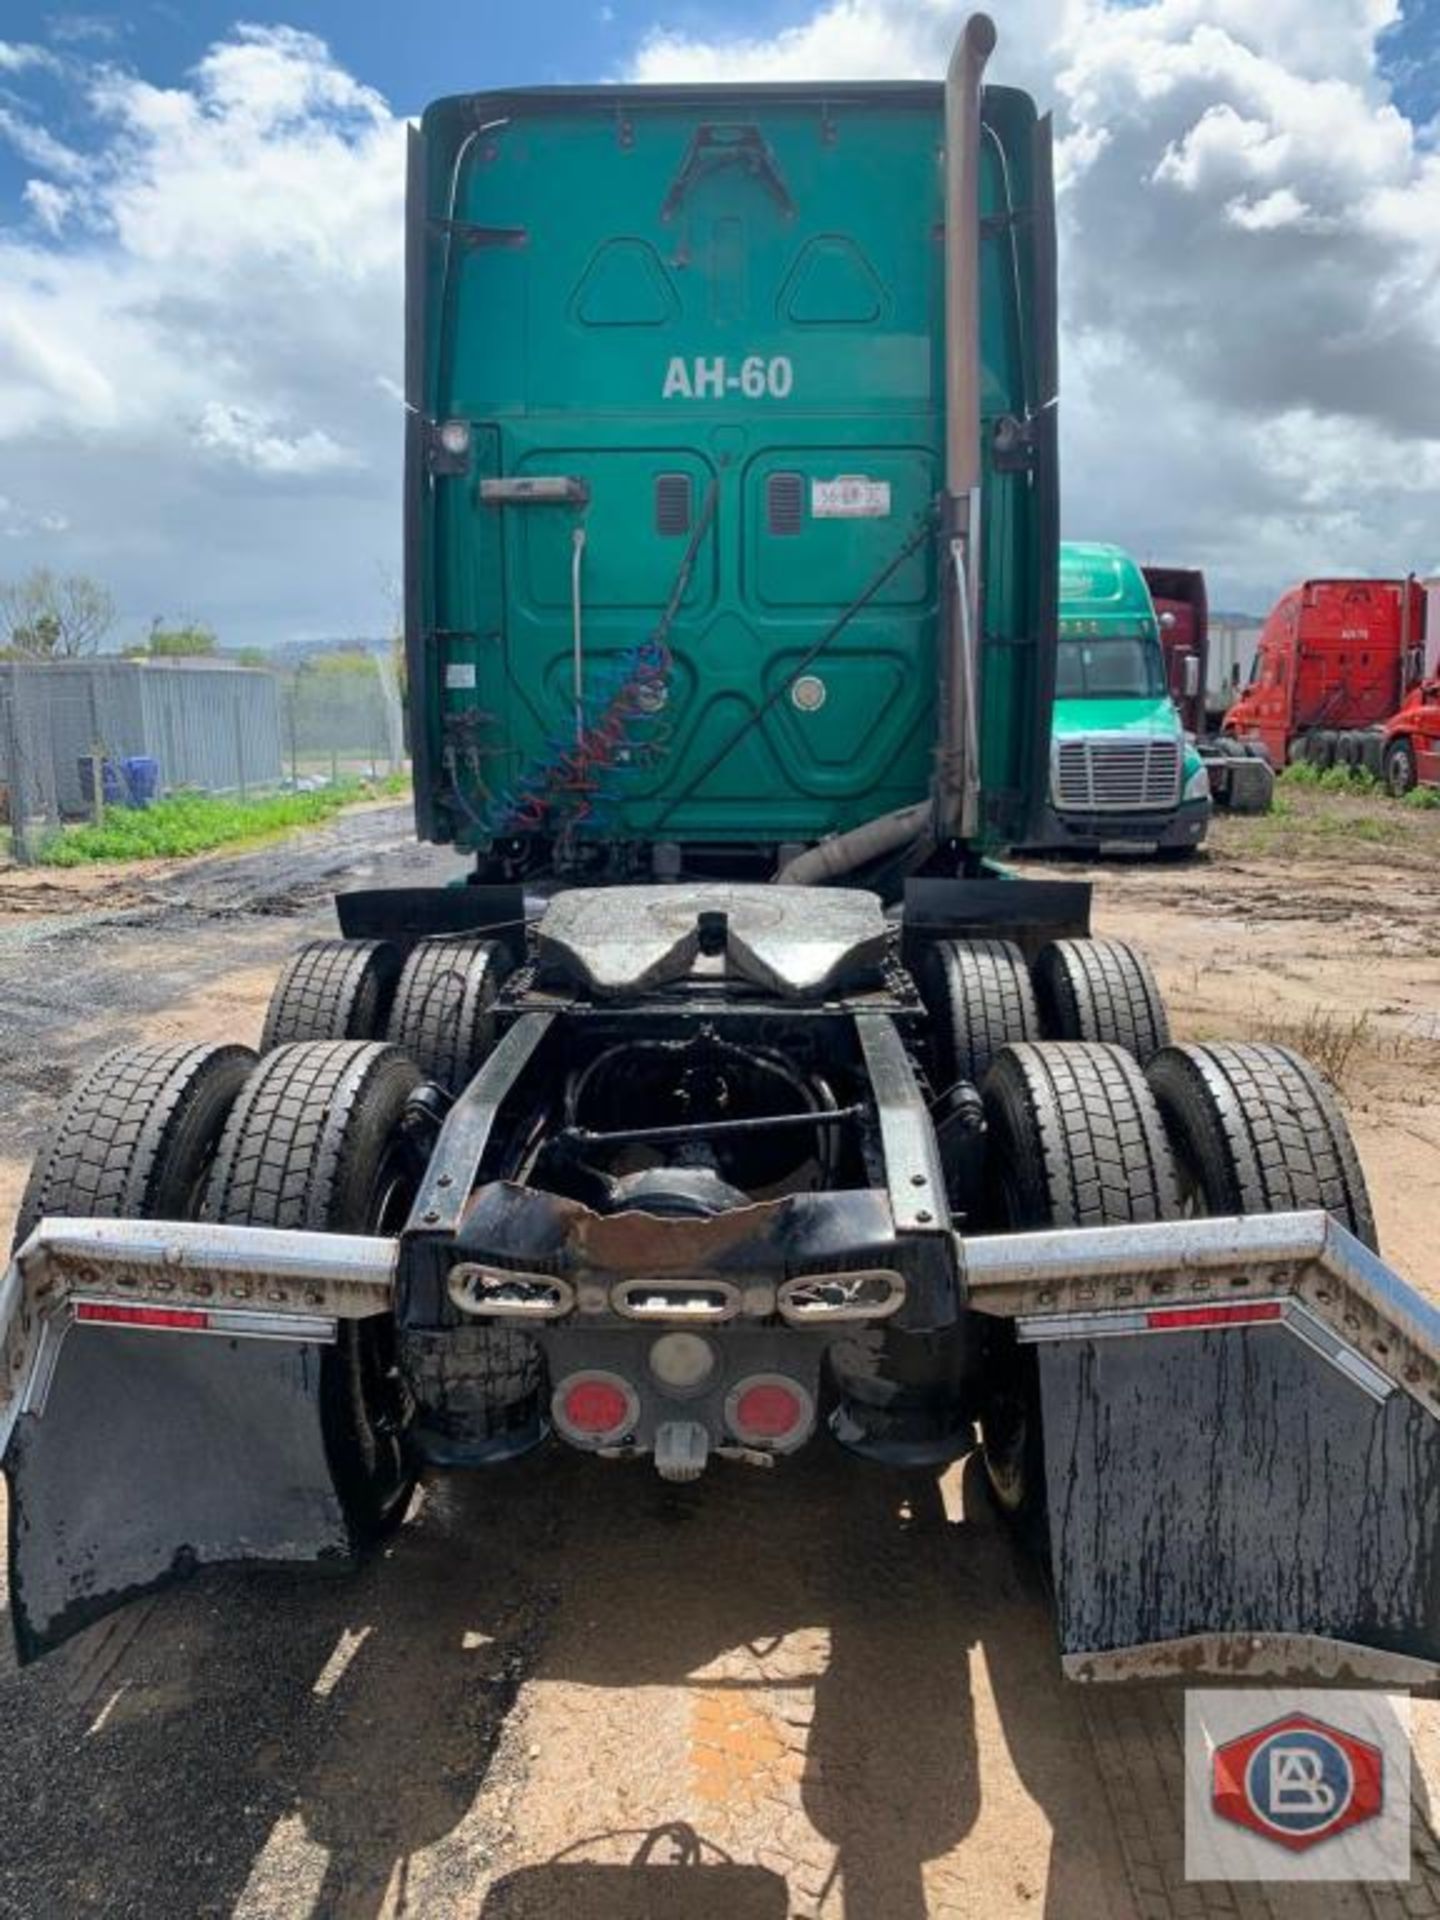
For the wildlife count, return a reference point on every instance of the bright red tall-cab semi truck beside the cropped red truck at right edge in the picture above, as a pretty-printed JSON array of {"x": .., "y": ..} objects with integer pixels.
[{"x": 1335, "y": 661}]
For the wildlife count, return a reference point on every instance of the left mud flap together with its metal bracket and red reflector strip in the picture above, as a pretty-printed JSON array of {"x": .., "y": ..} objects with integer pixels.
[{"x": 178, "y": 1397}]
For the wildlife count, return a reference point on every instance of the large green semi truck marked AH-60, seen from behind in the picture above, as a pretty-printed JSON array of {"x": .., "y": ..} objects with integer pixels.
[{"x": 738, "y": 1101}]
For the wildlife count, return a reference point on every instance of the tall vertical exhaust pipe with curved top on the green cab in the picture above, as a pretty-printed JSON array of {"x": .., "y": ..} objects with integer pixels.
[{"x": 957, "y": 750}]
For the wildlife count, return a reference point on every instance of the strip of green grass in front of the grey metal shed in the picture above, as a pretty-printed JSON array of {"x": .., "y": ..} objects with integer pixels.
[{"x": 197, "y": 823}]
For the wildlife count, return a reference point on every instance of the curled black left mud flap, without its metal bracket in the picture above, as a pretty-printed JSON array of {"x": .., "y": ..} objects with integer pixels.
[{"x": 156, "y": 1454}]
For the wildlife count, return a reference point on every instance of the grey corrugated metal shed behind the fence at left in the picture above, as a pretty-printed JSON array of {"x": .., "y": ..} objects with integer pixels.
[{"x": 208, "y": 725}]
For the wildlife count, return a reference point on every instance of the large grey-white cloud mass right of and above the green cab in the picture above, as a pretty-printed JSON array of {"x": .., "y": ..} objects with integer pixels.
[{"x": 1249, "y": 252}]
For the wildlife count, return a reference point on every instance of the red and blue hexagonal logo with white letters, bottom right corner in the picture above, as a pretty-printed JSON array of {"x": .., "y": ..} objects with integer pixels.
[{"x": 1297, "y": 1783}]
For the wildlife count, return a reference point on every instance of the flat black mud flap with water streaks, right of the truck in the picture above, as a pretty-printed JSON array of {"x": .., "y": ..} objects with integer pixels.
[{"x": 1234, "y": 1502}]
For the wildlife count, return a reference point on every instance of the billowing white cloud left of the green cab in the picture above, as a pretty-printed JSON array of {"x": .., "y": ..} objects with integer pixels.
[{"x": 195, "y": 325}]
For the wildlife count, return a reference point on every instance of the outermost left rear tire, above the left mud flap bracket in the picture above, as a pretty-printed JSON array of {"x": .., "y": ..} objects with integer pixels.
[{"x": 137, "y": 1138}]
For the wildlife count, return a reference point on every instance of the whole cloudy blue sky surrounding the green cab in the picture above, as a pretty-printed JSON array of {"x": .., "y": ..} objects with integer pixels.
[{"x": 201, "y": 272}]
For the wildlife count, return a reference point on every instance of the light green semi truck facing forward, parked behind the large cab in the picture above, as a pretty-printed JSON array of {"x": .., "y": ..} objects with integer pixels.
[{"x": 1120, "y": 763}]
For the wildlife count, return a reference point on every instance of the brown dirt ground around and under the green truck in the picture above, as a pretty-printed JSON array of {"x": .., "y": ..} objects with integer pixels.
[{"x": 569, "y": 1691}]
